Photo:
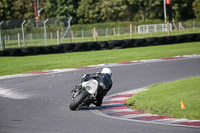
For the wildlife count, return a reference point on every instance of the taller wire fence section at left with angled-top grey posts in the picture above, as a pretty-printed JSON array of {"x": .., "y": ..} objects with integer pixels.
[{"x": 23, "y": 33}]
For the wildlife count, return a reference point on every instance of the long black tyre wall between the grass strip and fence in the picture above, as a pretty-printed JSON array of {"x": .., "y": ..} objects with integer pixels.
[{"x": 100, "y": 45}]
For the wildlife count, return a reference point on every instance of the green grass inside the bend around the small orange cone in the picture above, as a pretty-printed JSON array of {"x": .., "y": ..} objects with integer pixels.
[{"x": 164, "y": 99}]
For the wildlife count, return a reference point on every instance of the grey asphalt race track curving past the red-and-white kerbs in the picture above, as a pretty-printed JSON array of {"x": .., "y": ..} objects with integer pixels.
[{"x": 39, "y": 104}]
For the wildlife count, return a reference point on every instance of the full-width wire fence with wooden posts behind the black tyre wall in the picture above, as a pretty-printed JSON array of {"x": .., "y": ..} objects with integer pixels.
[{"x": 51, "y": 31}]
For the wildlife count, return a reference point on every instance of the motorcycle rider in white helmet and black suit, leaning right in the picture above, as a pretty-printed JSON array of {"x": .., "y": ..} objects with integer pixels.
[{"x": 104, "y": 84}]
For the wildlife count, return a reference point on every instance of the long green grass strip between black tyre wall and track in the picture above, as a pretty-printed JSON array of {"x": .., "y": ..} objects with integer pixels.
[{"x": 14, "y": 65}]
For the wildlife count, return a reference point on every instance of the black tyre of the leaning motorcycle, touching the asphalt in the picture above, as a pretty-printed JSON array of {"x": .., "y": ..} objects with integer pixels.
[{"x": 78, "y": 100}]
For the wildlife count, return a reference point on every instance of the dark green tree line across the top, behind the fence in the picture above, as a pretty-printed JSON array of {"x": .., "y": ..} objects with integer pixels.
[{"x": 96, "y": 11}]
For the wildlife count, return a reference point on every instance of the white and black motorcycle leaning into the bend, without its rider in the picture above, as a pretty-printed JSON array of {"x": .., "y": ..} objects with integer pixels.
[{"x": 84, "y": 95}]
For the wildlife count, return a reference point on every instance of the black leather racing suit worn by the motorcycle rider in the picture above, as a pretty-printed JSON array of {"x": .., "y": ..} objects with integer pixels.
[{"x": 104, "y": 85}]
